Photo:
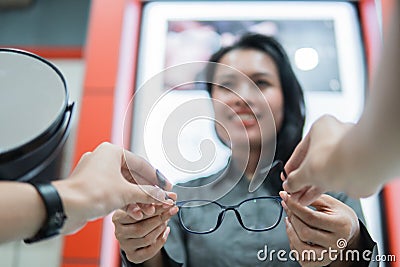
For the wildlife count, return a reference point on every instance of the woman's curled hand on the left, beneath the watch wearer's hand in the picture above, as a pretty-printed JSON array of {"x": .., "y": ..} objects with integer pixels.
[{"x": 142, "y": 239}]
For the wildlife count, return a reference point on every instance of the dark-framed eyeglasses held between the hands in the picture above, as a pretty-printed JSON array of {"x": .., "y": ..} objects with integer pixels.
[{"x": 255, "y": 214}]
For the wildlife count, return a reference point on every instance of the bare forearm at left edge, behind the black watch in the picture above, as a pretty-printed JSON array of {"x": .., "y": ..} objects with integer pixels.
[{"x": 22, "y": 211}]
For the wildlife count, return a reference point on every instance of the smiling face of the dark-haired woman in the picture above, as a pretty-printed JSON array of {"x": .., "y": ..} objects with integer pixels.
[{"x": 248, "y": 98}]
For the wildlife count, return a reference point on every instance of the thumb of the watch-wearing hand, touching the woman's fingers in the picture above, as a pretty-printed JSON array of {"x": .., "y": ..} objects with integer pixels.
[{"x": 147, "y": 194}]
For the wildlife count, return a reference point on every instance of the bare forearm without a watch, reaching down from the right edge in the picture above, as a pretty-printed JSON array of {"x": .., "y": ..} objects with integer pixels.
[{"x": 371, "y": 150}]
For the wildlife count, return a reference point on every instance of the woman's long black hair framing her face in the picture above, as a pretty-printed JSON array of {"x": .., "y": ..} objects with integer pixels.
[{"x": 291, "y": 131}]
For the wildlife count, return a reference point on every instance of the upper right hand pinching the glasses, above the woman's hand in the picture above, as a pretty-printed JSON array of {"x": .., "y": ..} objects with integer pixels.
[{"x": 308, "y": 176}]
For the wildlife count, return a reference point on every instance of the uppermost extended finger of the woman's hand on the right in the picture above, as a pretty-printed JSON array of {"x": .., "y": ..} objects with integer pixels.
[{"x": 313, "y": 218}]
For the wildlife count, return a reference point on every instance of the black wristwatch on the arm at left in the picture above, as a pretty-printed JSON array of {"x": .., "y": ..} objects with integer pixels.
[{"x": 55, "y": 212}]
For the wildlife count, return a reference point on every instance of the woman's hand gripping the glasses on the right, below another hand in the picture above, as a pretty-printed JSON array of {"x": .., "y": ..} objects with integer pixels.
[{"x": 318, "y": 235}]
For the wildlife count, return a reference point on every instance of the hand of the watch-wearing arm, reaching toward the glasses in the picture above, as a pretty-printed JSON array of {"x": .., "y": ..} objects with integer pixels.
[{"x": 103, "y": 181}]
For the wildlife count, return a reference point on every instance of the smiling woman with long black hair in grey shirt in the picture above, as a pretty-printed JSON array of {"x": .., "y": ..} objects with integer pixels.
[{"x": 233, "y": 218}]
